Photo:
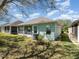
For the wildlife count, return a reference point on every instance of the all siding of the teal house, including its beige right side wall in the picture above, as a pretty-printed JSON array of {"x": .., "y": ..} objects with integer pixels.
[{"x": 41, "y": 29}]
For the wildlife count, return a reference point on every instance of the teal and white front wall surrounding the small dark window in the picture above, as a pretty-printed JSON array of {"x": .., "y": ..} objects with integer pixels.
[{"x": 41, "y": 28}]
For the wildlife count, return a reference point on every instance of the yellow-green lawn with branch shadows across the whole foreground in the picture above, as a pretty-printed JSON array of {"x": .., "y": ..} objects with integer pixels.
[{"x": 33, "y": 49}]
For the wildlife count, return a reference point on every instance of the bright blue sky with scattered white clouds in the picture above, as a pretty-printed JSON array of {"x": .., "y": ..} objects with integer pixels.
[{"x": 66, "y": 9}]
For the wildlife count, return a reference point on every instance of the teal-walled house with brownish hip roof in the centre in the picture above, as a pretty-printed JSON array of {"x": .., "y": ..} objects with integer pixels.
[{"x": 43, "y": 26}]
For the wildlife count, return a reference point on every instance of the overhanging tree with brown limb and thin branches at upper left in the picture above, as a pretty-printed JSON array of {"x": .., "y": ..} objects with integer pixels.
[{"x": 21, "y": 4}]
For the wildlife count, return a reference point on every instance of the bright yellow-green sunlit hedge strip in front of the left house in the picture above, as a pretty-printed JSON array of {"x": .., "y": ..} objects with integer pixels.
[{"x": 10, "y": 37}]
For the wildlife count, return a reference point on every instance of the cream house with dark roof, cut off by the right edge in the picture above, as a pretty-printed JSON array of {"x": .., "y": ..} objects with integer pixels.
[{"x": 74, "y": 30}]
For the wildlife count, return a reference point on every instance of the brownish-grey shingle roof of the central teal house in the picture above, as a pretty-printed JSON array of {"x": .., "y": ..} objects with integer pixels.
[{"x": 37, "y": 21}]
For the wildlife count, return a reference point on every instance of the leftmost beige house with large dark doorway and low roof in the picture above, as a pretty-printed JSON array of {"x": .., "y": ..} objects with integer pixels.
[{"x": 11, "y": 28}]
